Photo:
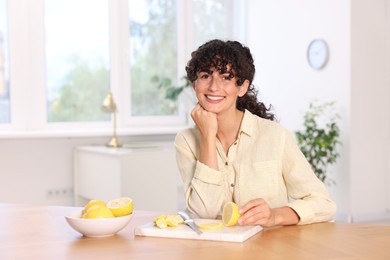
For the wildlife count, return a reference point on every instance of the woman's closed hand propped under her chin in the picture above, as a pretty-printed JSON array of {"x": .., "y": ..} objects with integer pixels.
[{"x": 206, "y": 121}]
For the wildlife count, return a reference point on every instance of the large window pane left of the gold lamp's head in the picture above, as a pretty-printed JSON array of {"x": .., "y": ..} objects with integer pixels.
[{"x": 77, "y": 59}]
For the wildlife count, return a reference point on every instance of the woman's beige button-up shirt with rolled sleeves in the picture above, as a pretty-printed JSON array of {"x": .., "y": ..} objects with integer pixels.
[{"x": 265, "y": 162}]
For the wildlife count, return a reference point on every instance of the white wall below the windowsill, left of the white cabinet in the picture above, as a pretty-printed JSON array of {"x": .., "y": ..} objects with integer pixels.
[{"x": 40, "y": 171}]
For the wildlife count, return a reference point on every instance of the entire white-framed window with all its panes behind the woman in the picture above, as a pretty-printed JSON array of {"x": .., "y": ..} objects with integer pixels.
[{"x": 79, "y": 50}]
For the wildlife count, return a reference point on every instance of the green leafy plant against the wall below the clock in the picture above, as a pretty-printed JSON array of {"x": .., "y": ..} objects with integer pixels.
[{"x": 320, "y": 138}]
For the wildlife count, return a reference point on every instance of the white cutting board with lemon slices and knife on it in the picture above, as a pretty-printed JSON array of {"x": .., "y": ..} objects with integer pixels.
[{"x": 230, "y": 234}]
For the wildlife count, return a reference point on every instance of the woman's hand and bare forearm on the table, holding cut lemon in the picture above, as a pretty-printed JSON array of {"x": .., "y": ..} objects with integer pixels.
[{"x": 258, "y": 212}]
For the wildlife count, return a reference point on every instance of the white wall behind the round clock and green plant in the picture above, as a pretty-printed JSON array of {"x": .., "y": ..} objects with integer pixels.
[{"x": 279, "y": 32}]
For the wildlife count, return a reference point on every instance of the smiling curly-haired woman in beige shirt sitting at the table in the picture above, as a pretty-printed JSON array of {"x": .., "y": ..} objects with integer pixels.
[{"x": 236, "y": 152}]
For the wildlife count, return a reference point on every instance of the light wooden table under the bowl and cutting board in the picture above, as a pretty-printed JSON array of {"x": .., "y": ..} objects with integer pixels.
[{"x": 28, "y": 232}]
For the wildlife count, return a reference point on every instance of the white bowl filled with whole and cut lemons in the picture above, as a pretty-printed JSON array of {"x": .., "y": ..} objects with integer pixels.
[{"x": 101, "y": 219}]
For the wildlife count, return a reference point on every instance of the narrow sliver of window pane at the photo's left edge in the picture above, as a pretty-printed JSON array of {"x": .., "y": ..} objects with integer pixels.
[{"x": 4, "y": 75}]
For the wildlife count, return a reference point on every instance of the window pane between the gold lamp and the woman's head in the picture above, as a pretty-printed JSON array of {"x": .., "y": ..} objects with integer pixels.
[{"x": 153, "y": 45}]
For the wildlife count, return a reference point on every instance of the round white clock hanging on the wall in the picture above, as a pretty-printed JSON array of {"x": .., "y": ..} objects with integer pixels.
[{"x": 317, "y": 54}]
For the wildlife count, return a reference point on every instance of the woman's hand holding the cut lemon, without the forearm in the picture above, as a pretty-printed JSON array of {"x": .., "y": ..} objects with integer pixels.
[{"x": 257, "y": 212}]
